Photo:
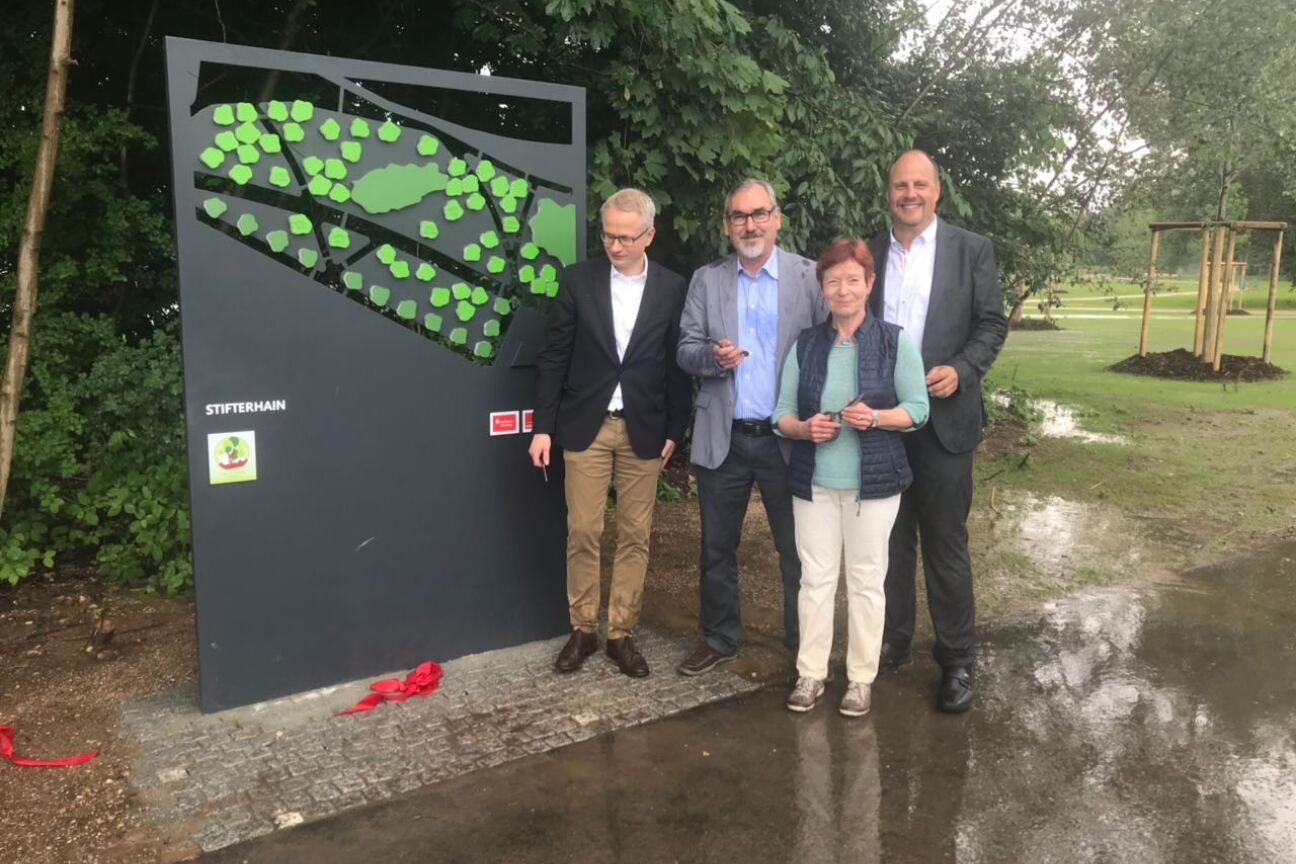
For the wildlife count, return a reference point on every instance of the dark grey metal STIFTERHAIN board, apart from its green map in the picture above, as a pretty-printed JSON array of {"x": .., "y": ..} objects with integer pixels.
[{"x": 386, "y": 525}]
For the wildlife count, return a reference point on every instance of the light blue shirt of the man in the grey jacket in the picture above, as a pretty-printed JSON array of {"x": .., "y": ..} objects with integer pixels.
[{"x": 758, "y": 378}]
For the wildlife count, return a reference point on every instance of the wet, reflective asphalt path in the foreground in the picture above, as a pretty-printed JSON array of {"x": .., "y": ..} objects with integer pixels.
[{"x": 1150, "y": 726}]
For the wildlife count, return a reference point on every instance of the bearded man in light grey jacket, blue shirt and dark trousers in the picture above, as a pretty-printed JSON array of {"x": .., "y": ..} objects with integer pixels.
[{"x": 742, "y": 317}]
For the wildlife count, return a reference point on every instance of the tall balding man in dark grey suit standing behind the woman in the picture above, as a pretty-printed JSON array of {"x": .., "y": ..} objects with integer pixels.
[{"x": 939, "y": 283}]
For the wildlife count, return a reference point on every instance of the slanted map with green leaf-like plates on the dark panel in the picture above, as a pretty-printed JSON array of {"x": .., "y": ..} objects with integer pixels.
[{"x": 383, "y": 207}]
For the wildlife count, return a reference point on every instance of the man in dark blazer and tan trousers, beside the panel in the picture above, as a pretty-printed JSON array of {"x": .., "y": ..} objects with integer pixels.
[{"x": 610, "y": 394}]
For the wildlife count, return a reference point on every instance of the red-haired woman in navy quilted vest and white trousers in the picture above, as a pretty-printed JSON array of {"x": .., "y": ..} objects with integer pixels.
[{"x": 850, "y": 391}]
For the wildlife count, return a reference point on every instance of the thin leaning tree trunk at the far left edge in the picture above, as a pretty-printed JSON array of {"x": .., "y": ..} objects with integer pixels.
[{"x": 29, "y": 249}]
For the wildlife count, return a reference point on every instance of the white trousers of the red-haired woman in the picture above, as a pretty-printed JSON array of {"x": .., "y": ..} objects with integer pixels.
[{"x": 834, "y": 521}]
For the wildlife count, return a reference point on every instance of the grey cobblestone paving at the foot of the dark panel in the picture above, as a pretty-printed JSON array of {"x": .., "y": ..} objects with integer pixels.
[{"x": 226, "y": 778}]
